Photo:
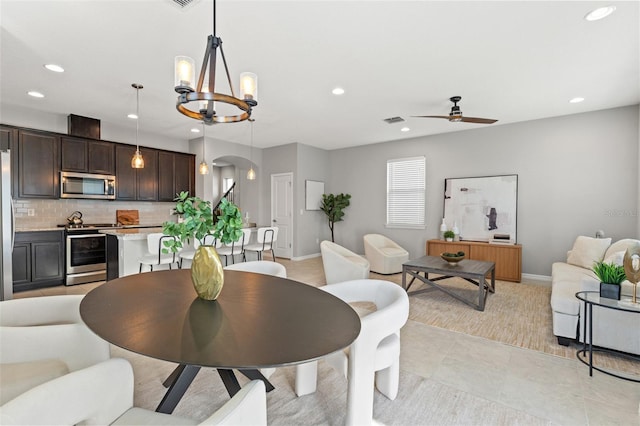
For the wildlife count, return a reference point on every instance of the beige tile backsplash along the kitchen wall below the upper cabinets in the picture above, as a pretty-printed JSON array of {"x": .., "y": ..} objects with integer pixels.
[{"x": 50, "y": 213}]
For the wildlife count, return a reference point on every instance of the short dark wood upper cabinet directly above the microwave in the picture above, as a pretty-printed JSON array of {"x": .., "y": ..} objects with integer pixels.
[{"x": 90, "y": 156}]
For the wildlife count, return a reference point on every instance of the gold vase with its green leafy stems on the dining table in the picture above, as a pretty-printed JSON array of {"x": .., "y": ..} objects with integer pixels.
[{"x": 207, "y": 273}]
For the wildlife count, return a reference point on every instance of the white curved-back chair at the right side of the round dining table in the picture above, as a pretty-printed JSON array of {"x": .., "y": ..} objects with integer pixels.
[{"x": 374, "y": 357}]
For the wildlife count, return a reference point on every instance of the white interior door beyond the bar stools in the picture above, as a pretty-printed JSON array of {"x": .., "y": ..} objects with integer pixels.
[{"x": 282, "y": 213}]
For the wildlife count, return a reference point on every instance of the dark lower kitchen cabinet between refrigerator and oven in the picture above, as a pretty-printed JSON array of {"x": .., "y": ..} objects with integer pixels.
[{"x": 38, "y": 260}]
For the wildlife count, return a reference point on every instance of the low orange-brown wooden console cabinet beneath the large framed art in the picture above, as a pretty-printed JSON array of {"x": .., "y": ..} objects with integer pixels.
[{"x": 507, "y": 257}]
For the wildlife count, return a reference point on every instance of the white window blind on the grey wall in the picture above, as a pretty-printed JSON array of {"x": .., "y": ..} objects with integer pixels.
[{"x": 406, "y": 192}]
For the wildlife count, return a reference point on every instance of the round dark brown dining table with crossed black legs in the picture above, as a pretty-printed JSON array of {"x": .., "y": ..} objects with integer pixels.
[{"x": 257, "y": 321}]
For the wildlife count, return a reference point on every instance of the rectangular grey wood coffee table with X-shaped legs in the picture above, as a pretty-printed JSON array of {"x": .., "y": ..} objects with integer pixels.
[{"x": 472, "y": 271}]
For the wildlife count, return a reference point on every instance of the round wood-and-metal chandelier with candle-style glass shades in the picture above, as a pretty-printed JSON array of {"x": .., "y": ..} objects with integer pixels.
[{"x": 198, "y": 101}]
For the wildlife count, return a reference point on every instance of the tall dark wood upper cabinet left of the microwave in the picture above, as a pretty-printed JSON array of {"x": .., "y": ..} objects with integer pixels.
[{"x": 36, "y": 164}]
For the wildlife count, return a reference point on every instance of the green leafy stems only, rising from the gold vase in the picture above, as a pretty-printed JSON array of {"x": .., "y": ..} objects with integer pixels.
[{"x": 198, "y": 222}]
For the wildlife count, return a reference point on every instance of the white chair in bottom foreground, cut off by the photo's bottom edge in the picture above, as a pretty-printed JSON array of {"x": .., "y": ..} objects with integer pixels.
[{"x": 103, "y": 394}]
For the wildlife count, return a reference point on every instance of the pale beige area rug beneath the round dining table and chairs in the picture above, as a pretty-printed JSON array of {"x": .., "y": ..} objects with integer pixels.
[{"x": 420, "y": 401}]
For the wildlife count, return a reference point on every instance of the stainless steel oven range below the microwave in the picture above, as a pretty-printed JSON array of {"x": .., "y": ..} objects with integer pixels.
[{"x": 86, "y": 256}]
